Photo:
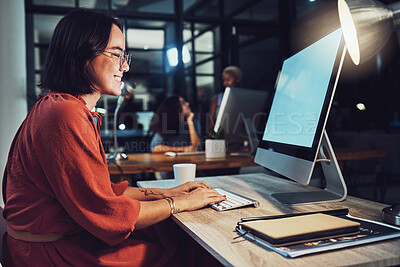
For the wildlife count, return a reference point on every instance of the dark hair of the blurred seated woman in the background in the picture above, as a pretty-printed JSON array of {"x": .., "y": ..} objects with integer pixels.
[{"x": 166, "y": 120}]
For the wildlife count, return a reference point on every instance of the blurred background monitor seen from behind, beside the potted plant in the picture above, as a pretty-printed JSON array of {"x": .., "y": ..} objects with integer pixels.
[{"x": 241, "y": 116}]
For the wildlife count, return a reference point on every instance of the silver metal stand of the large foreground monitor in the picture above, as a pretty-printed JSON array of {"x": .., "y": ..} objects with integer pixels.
[{"x": 335, "y": 189}]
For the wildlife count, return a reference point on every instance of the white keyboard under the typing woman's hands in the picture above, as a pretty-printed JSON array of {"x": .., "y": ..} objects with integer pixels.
[{"x": 232, "y": 201}]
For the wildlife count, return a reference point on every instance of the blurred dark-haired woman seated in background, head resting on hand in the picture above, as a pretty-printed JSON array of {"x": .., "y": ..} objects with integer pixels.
[{"x": 174, "y": 126}]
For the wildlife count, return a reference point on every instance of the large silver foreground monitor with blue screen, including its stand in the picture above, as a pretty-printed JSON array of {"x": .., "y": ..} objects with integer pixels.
[{"x": 294, "y": 139}]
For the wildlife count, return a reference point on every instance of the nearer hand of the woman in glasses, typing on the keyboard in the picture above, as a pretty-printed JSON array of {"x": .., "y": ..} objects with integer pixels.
[{"x": 197, "y": 199}]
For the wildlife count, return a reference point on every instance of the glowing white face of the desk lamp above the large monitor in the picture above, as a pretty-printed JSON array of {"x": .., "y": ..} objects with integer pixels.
[{"x": 349, "y": 31}]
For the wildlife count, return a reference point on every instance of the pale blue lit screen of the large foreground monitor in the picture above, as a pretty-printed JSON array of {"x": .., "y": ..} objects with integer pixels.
[{"x": 300, "y": 93}]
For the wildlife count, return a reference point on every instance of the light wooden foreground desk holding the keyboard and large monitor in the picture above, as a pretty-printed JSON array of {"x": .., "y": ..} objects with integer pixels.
[{"x": 215, "y": 230}]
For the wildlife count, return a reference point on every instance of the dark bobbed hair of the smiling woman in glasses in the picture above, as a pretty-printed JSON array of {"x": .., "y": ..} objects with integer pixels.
[{"x": 78, "y": 38}]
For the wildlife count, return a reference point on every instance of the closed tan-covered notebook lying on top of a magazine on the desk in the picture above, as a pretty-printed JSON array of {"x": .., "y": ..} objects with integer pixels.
[{"x": 298, "y": 229}]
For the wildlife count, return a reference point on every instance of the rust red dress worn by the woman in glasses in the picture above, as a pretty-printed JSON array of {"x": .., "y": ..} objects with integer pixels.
[{"x": 58, "y": 182}]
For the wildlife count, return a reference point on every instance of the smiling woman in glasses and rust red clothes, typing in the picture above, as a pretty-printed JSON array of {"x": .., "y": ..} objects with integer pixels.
[{"x": 60, "y": 207}]
